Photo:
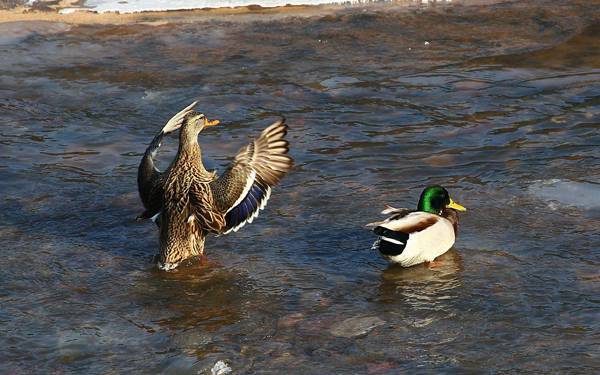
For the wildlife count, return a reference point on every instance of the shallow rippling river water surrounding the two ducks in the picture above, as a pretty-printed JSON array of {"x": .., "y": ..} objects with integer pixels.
[{"x": 505, "y": 115}]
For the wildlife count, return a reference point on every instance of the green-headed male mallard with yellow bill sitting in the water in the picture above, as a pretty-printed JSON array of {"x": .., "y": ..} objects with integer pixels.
[{"x": 410, "y": 237}]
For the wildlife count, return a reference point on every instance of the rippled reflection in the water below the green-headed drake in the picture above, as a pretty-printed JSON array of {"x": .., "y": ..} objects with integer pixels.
[{"x": 422, "y": 285}]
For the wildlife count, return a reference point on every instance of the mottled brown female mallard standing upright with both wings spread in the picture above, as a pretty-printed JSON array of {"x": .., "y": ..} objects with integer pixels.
[{"x": 188, "y": 202}]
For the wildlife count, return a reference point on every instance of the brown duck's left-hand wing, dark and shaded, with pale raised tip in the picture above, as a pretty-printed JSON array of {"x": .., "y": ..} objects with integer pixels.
[{"x": 150, "y": 178}]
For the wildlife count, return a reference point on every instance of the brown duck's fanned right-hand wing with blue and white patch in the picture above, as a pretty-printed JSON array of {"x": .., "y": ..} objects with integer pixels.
[{"x": 245, "y": 187}]
